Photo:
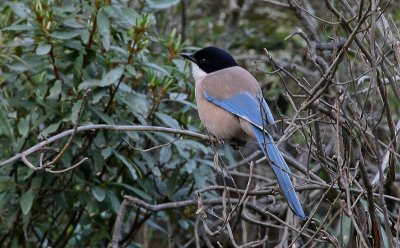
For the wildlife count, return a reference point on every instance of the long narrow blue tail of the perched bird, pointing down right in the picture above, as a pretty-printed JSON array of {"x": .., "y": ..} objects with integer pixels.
[{"x": 271, "y": 151}]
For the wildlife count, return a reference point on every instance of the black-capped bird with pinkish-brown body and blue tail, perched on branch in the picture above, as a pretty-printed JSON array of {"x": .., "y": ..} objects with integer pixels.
[{"x": 231, "y": 107}]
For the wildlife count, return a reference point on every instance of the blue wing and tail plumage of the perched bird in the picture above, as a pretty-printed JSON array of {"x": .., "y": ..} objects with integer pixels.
[{"x": 257, "y": 112}]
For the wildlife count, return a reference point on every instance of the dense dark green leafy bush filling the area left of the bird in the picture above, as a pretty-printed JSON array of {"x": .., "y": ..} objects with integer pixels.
[{"x": 51, "y": 54}]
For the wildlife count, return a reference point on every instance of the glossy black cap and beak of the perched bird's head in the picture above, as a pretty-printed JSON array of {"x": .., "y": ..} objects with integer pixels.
[{"x": 211, "y": 59}]
